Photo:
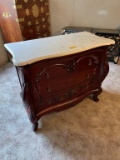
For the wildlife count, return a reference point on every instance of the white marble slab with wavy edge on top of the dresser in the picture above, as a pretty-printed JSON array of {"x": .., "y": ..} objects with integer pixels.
[{"x": 27, "y": 52}]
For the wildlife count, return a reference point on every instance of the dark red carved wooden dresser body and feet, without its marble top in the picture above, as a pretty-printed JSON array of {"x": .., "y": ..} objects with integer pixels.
[{"x": 56, "y": 84}]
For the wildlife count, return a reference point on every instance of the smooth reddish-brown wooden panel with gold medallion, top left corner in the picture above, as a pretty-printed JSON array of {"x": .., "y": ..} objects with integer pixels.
[{"x": 9, "y": 26}]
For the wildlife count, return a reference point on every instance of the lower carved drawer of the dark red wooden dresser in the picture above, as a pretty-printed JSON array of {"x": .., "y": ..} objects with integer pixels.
[{"x": 51, "y": 93}]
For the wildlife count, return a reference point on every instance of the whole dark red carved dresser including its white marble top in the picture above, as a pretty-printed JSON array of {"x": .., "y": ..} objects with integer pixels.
[{"x": 56, "y": 73}]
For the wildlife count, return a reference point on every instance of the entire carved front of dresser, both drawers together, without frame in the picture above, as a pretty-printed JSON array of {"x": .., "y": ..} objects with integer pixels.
[{"x": 59, "y": 80}]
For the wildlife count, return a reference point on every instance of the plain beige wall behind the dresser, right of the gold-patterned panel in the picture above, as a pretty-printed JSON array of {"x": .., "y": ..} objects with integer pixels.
[{"x": 89, "y": 13}]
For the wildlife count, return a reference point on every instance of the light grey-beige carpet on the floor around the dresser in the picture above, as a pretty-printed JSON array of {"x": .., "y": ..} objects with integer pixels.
[{"x": 88, "y": 131}]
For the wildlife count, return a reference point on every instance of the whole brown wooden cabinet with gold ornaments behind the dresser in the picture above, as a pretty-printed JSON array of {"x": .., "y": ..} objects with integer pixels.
[{"x": 24, "y": 20}]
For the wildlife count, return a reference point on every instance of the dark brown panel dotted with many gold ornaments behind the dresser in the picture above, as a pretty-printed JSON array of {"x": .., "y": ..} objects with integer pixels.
[{"x": 33, "y": 17}]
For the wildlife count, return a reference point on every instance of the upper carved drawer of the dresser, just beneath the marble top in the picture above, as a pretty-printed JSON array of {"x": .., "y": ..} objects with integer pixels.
[{"x": 54, "y": 69}]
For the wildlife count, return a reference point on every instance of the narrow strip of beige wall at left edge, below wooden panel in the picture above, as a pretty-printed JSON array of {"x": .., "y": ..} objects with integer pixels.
[{"x": 3, "y": 53}]
